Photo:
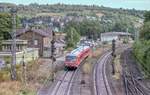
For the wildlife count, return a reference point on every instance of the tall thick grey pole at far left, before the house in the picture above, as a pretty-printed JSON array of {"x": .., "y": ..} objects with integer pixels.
[{"x": 13, "y": 64}]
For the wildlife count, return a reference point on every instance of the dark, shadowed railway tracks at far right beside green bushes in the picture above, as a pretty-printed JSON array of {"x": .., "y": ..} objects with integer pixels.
[{"x": 132, "y": 85}]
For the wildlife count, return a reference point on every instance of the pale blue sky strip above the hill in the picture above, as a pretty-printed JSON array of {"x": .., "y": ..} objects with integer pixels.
[{"x": 127, "y": 4}]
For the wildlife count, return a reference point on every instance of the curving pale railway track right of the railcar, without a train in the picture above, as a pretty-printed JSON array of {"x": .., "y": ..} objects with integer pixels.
[{"x": 101, "y": 86}]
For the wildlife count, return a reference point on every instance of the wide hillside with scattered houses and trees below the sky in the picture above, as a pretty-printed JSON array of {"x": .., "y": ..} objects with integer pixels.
[{"x": 110, "y": 19}]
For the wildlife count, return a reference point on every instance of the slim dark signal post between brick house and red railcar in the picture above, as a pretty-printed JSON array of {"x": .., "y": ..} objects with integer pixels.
[{"x": 52, "y": 54}]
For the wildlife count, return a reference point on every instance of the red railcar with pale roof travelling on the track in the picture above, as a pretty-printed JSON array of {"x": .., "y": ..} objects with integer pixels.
[{"x": 75, "y": 57}]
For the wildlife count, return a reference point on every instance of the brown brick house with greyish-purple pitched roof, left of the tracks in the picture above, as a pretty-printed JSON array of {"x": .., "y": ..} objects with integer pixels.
[{"x": 37, "y": 38}]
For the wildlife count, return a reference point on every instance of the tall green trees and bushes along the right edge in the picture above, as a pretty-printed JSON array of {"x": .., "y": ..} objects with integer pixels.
[{"x": 142, "y": 47}]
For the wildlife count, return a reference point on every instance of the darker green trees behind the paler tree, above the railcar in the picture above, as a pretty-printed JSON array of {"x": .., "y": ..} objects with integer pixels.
[{"x": 88, "y": 28}]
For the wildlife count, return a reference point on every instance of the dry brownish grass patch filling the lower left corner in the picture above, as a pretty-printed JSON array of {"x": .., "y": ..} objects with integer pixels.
[{"x": 35, "y": 77}]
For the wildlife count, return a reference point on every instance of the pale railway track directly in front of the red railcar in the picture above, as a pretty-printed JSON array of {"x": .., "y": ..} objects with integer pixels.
[{"x": 64, "y": 84}]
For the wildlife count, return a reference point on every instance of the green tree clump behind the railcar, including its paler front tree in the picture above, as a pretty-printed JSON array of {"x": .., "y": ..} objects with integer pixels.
[{"x": 87, "y": 28}]
